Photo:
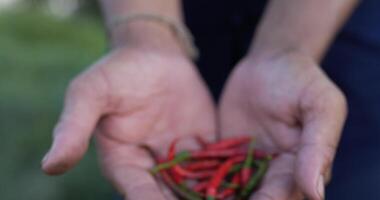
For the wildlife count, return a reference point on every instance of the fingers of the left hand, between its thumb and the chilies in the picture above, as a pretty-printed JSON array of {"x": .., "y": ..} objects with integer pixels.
[{"x": 126, "y": 166}]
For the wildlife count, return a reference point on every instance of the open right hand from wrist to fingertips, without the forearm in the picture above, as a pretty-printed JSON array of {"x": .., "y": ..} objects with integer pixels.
[{"x": 294, "y": 110}]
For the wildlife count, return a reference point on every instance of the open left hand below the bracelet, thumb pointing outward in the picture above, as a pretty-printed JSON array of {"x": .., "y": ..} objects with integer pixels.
[{"x": 131, "y": 97}]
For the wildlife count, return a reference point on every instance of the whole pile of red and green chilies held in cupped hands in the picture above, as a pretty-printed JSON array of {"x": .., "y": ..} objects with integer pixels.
[{"x": 228, "y": 169}]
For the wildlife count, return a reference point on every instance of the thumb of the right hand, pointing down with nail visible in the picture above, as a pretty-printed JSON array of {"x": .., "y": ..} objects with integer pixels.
[{"x": 322, "y": 125}]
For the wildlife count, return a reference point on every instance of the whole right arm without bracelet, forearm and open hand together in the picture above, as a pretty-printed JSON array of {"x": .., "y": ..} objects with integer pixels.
[{"x": 279, "y": 94}]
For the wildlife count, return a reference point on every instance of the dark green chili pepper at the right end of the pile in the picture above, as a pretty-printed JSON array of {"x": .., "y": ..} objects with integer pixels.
[{"x": 262, "y": 167}]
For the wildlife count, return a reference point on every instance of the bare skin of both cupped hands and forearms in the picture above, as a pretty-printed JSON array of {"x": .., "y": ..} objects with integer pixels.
[{"x": 146, "y": 91}]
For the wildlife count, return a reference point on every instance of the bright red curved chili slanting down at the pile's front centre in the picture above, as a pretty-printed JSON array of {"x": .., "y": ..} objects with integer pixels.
[{"x": 217, "y": 179}]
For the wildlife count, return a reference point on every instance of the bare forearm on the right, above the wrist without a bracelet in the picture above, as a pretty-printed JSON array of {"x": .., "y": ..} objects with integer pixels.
[{"x": 307, "y": 26}]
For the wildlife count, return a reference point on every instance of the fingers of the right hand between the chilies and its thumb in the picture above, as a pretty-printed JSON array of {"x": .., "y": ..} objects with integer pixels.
[{"x": 279, "y": 183}]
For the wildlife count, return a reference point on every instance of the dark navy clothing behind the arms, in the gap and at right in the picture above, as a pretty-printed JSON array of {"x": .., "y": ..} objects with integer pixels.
[{"x": 223, "y": 31}]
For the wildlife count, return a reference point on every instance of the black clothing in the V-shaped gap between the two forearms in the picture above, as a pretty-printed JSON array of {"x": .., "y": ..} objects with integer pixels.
[{"x": 222, "y": 30}]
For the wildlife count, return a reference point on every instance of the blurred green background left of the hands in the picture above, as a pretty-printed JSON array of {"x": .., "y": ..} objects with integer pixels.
[{"x": 44, "y": 44}]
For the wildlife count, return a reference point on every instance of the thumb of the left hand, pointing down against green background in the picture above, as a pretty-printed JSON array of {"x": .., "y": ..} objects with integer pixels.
[{"x": 72, "y": 133}]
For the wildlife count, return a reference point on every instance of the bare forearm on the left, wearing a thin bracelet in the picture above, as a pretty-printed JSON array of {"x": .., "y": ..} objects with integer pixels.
[{"x": 141, "y": 32}]
